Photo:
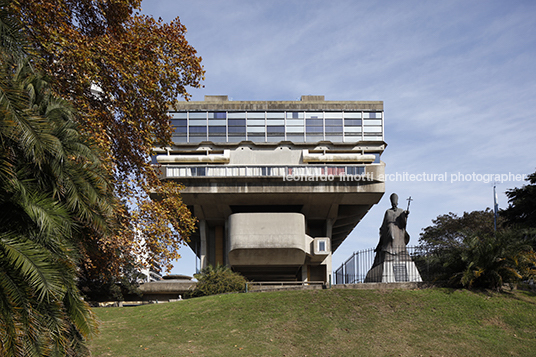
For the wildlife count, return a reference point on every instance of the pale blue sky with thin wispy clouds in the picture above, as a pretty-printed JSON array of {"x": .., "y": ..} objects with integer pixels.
[{"x": 457, "y": 78}]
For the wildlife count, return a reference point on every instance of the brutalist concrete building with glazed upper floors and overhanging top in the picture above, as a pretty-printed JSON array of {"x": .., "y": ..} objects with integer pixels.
[{"x": 276, "y": 185}]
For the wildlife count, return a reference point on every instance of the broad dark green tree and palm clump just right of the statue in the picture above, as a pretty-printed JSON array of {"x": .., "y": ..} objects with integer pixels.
[{"x": 466, "y": 251}]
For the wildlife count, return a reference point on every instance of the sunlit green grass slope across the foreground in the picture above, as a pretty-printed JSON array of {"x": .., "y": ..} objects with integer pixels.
[{"x": 428, "y": 322}]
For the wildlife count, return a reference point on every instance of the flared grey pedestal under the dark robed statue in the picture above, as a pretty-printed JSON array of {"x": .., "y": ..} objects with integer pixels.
[{"x": 393, "y": 268}]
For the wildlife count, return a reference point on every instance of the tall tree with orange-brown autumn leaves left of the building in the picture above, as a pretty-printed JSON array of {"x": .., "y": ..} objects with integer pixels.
[{"x": 121, "y": 70}]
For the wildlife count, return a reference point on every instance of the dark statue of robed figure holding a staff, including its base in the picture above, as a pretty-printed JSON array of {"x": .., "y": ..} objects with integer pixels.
[{"x": 392, "y": 262}]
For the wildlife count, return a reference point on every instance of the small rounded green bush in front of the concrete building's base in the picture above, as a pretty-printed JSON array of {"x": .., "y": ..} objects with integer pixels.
[{"x": 219, "y": 280}]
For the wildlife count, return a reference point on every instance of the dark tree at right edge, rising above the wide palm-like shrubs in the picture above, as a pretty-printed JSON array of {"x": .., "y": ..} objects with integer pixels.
[{"x": 521, "y": 211}]
